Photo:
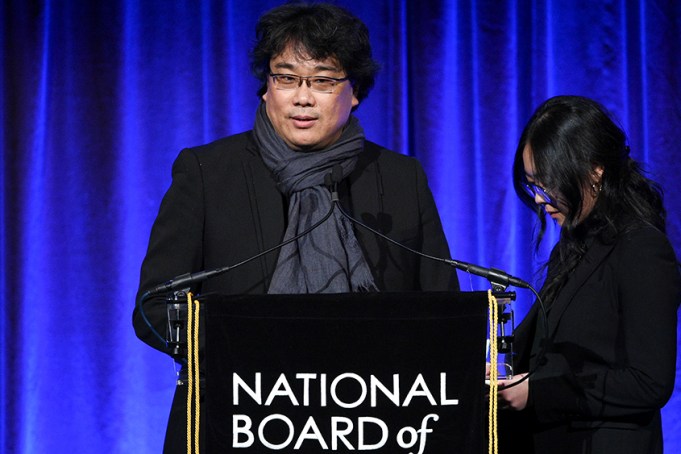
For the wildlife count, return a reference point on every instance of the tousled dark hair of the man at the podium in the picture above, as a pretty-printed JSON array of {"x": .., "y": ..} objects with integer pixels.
[{"x": 318, "y": 31}]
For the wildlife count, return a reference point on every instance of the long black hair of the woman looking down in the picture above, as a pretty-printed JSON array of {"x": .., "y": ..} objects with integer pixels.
[{"x": 569, "y": 137}]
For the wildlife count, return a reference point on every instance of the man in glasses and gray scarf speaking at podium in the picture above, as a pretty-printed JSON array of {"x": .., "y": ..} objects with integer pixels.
[{"x": 232, "y": 199}]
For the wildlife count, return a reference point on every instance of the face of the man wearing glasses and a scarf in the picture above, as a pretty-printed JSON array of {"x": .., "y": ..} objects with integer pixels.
[{"x": 305, "y": 119}]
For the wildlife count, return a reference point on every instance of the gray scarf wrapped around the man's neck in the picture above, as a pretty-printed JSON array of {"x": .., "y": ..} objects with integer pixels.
[{"x": 328, "y": 259}]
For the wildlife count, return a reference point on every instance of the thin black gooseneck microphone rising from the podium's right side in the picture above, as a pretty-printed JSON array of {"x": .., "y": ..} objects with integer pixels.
[{"x": 494, "y": 276}]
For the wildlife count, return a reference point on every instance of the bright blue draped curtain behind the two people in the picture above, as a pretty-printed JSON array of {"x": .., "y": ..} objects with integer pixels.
[{"x": 99, "y": 97}]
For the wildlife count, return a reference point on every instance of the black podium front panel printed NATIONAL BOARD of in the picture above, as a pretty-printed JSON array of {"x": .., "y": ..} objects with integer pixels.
[{"x": 374, "y": 372}]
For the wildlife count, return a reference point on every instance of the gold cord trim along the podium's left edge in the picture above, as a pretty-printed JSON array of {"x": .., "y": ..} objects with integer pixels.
[{"x": 193, "y": 378}]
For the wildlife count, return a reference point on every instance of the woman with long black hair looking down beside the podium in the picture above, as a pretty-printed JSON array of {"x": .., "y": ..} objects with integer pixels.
[{"x": 601, "y": 355}]
